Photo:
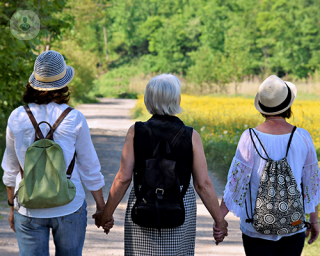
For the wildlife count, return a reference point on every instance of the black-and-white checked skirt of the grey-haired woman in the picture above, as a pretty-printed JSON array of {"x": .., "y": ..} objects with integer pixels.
[{"x": 140, "y": 241}]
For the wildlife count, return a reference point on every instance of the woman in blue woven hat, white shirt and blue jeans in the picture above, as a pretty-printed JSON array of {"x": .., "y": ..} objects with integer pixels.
[{"x": 47, "y": 95}]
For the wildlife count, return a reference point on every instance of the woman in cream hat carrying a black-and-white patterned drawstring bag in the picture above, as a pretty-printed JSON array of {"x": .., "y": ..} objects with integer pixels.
[{"x": 255, "y": 181}]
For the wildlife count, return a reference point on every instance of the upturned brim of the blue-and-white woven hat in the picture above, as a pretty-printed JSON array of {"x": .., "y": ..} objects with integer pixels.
[{"x": 56, "y": 85}]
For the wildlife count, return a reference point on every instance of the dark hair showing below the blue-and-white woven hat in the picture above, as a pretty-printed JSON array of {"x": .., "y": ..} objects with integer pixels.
[{"x": 59, "y": 96}]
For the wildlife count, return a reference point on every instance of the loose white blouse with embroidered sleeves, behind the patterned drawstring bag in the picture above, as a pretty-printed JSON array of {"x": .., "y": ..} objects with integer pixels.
[{"x": 247, "y": 166}]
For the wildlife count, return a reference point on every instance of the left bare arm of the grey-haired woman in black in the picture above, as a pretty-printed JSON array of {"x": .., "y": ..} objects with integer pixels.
[{"x": 122, "y": 180}]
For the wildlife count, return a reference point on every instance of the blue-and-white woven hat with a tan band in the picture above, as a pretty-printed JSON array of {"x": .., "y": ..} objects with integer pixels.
[{"x": 50, "y": 72}]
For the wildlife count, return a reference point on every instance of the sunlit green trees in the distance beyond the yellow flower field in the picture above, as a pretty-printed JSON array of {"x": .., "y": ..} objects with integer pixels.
[{"x": 216, "y": 41}]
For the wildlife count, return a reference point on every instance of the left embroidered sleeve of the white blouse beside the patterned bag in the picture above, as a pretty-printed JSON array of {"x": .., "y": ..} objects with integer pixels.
[{"x": 239, "y": 175}]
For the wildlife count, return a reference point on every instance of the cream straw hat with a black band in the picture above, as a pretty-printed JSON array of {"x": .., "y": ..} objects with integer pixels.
[{"x": 275, "y": 96}]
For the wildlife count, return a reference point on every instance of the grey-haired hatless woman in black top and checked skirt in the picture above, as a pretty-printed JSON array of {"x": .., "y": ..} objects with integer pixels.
[{"x": 147, "y": 231}]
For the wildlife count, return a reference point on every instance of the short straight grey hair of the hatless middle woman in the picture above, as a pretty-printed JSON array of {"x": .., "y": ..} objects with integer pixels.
[{"x": 162, "y": 95}]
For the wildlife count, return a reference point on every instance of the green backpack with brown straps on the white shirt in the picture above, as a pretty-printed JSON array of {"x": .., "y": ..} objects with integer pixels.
[{"x": 45, "y": 182}]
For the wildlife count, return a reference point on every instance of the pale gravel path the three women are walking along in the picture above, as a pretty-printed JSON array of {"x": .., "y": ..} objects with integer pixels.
[{"x": 109, "y": 122}]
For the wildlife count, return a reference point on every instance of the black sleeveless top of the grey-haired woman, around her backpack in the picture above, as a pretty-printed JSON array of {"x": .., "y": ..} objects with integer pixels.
[{"x": 163, "y": 127}]
